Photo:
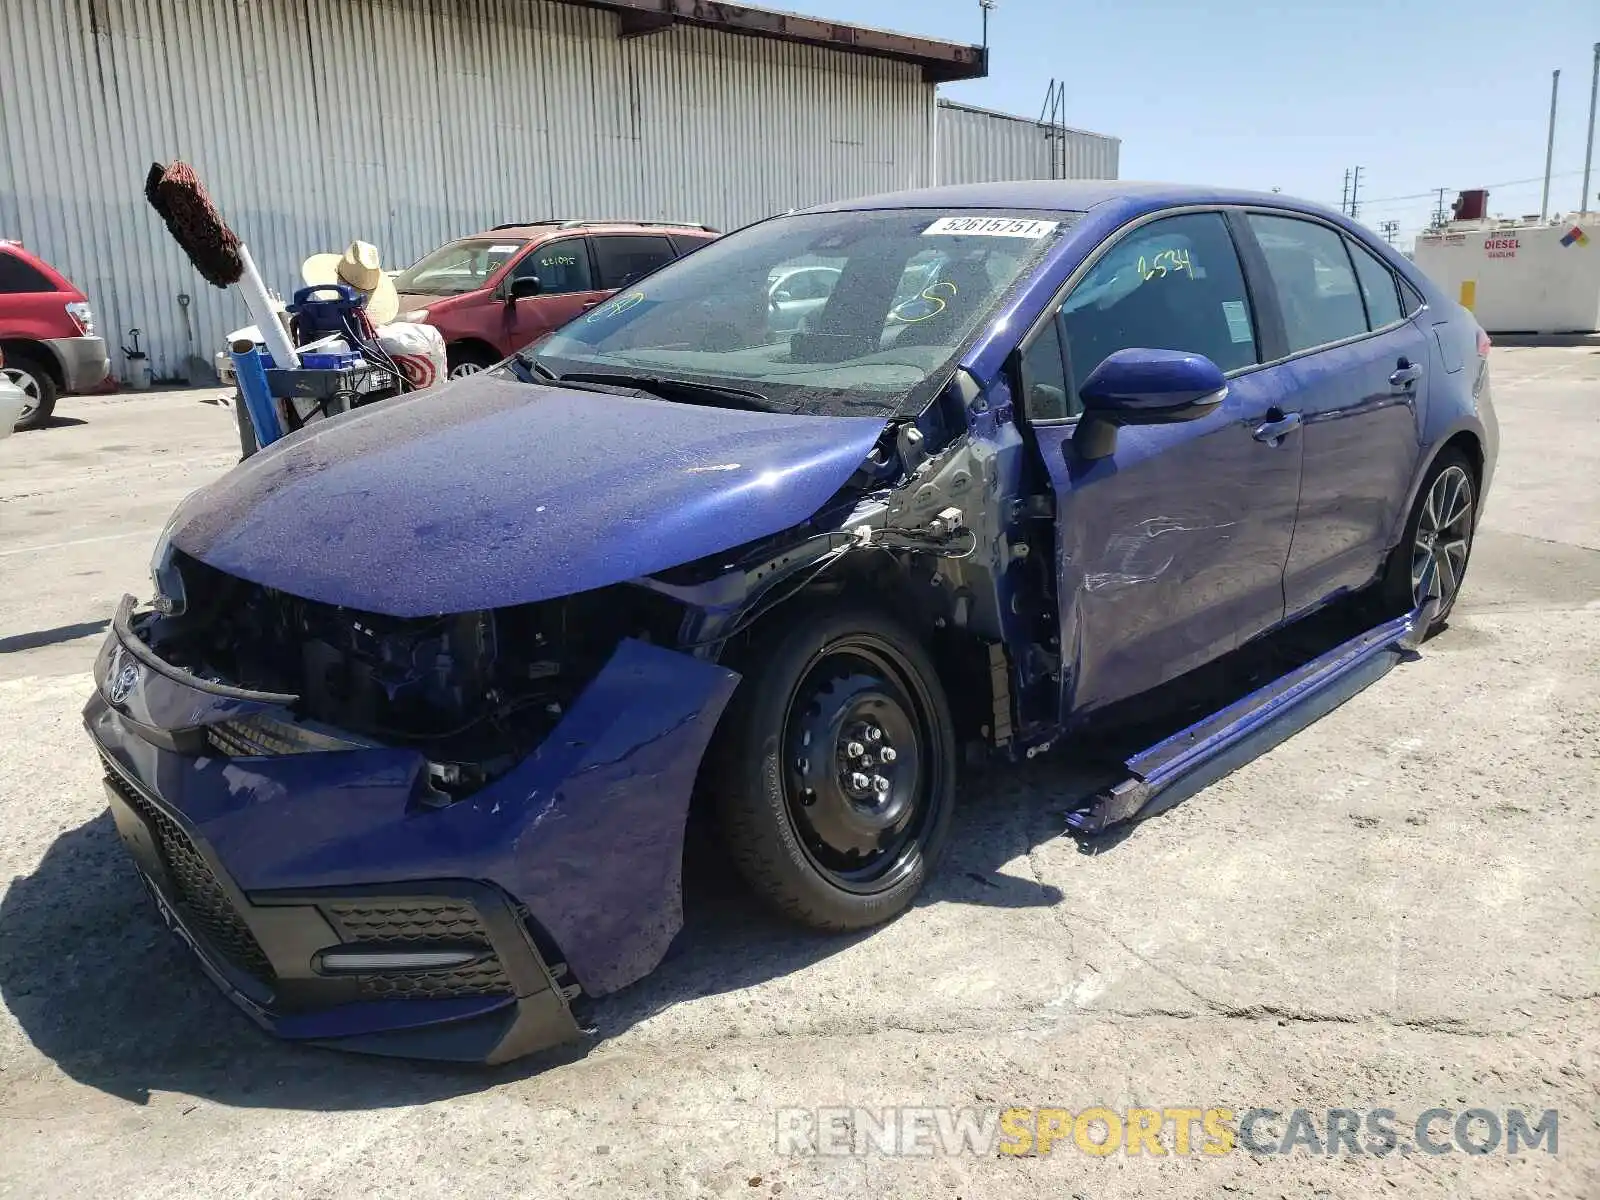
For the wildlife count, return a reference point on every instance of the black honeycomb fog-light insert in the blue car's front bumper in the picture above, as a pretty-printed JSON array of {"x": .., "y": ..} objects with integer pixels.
[{"x": 415, "y": 922}]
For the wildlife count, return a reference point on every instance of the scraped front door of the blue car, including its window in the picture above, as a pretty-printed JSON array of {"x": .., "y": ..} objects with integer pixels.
[{"x": 1172, "y": 551}]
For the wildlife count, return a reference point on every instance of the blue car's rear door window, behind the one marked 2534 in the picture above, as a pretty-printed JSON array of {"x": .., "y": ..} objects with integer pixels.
[{"x": 1313, "y": 274}]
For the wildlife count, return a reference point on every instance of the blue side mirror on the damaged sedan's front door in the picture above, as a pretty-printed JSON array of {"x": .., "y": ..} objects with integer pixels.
[{"x": 1145, "y": 388}]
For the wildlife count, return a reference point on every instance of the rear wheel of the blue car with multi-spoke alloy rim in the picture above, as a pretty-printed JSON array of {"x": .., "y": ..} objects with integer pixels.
[{"x": 1438, "y": 538}]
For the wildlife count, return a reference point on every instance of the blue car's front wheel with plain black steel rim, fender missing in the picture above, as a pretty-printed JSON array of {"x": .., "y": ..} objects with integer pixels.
[{"x": 834, "y": 774}]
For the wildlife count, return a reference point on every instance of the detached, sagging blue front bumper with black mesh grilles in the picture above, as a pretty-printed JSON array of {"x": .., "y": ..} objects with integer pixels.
[{"x": 561, "y": 878}]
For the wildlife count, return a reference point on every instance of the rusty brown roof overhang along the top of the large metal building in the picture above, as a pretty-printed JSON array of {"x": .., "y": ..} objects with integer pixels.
[{"x": 940, "y": 62}]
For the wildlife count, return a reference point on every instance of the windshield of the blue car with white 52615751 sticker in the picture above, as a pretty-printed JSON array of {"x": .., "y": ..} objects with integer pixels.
[{"x": 820, "y": 313}]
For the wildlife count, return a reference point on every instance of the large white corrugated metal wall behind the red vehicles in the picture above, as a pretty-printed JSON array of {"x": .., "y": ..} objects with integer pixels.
[{"x": 406, "y": 124}]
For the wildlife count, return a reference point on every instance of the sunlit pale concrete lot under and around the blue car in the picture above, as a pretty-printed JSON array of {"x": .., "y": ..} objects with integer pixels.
[{"x": 1399, "y": 908}]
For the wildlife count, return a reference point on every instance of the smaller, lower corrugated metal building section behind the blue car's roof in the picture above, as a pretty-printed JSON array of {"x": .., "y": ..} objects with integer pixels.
[{"x": 982, "y": 146}]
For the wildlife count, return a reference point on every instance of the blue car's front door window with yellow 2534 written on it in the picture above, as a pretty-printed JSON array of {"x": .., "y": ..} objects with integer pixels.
[{"x": 1170, "y": 286}]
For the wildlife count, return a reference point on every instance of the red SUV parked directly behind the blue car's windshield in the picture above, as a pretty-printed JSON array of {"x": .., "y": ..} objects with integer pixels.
[{"x": 494, "y": 294}]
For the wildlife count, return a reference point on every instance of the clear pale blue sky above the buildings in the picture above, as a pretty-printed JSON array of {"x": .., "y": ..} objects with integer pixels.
[{"x": 1422, "y": 94}]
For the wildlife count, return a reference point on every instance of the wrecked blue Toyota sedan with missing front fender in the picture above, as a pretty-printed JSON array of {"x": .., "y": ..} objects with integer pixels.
[{"x": 406, "y": 740}]
